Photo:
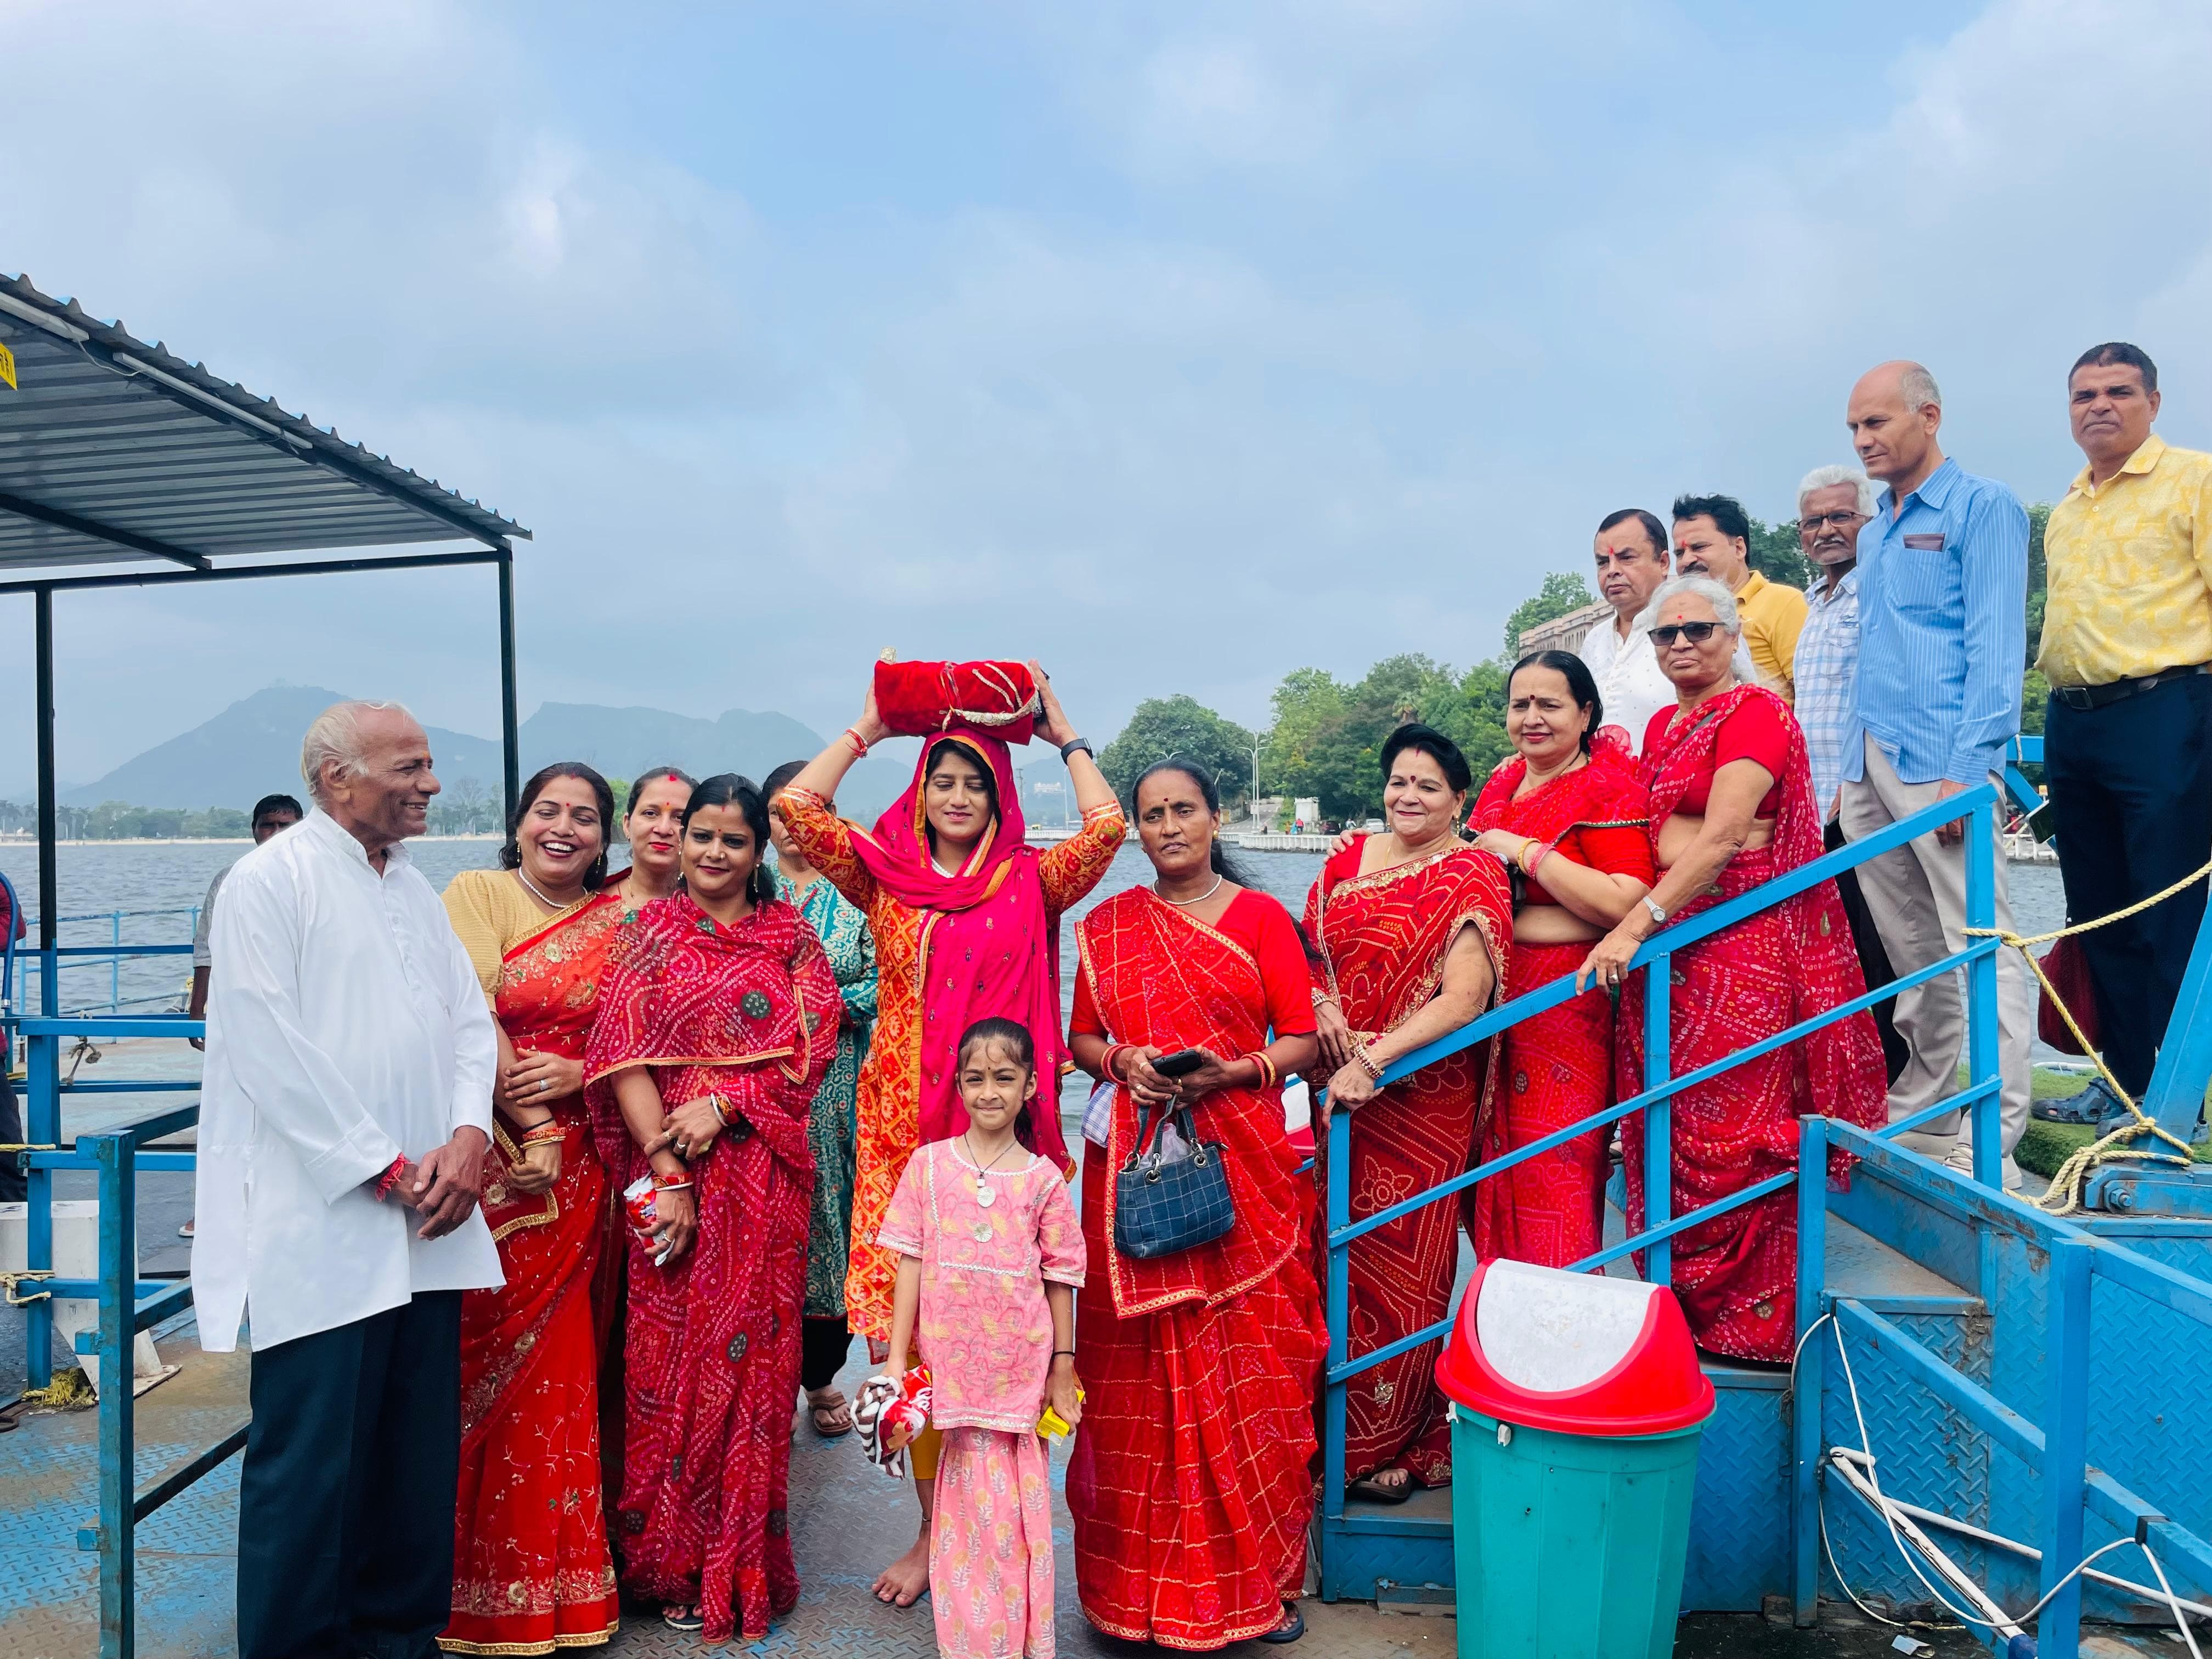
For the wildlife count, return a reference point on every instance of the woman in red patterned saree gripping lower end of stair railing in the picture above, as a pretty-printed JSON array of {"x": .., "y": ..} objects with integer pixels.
[{"x": 1417, "y": 939}]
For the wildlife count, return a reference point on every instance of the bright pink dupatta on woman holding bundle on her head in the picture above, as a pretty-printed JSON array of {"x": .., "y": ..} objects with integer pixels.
[{"x": 988, "y": 943}]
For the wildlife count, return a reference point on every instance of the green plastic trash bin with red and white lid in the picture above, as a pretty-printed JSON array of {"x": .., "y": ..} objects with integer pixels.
[{"x": 1578, "y": 1406}]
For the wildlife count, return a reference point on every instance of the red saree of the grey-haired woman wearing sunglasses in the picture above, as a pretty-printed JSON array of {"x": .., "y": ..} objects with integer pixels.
[{"x": 1738, "y": 1273}]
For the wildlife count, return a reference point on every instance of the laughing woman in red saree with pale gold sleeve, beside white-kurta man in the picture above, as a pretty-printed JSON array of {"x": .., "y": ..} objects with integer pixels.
[{"x": 530, "y": 1536}]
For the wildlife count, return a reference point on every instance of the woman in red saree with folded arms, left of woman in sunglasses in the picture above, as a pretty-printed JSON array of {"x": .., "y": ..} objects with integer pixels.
[{"x": 1567, "y": 817}]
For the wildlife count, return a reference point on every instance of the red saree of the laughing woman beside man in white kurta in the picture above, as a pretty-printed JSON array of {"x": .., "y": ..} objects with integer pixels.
[{"x": 530, "y": 1538}]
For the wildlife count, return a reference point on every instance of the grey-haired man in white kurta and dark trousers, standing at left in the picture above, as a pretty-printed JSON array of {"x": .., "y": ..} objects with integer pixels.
[{"x": 344, "y": 1123}]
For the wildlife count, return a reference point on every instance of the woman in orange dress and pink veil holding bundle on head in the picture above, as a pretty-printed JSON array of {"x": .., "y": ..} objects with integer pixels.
[{"x": 966, "y": 919}]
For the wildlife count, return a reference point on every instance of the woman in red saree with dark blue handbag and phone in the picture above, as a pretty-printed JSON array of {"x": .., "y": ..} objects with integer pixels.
[{"x": 1202, "y": 1366}]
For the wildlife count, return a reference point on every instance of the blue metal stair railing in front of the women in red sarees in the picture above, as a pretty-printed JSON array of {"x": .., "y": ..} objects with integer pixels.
[{"x": 1979, "y": 959}]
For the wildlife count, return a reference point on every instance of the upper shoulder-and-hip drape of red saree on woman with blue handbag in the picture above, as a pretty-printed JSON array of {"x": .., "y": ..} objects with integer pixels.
[{"x": 1171, "y": 981}]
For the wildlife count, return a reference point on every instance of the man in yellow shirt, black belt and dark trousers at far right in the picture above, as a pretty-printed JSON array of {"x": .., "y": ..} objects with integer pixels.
[{"x": 2129, "y": 735}]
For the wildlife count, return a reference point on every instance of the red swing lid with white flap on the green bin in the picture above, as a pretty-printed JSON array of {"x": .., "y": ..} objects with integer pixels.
[{"x": 1574, "y": 1353}]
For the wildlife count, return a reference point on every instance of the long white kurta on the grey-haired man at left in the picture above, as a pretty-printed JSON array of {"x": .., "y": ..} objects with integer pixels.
[{"x": 346, "y": 1030}]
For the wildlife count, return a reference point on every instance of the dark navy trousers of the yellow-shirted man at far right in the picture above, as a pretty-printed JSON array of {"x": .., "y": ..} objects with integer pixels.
[{"x": 2131, "y": 800}]
